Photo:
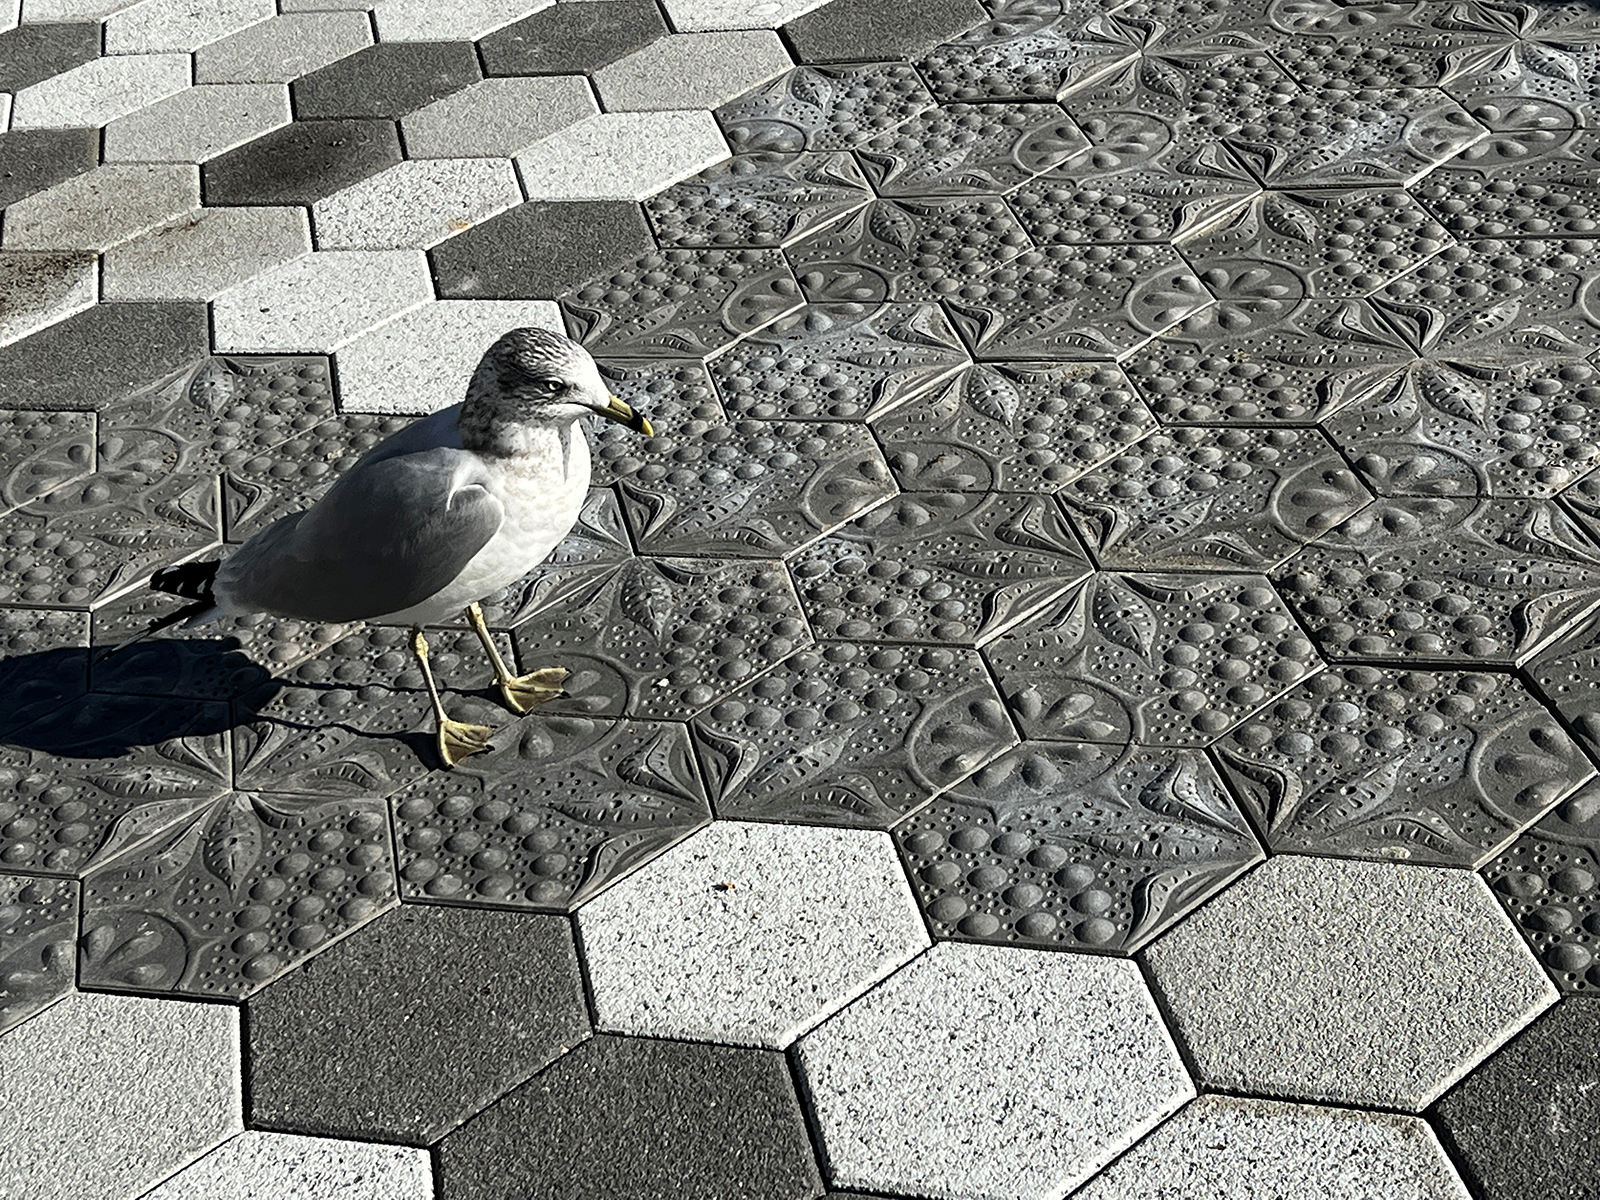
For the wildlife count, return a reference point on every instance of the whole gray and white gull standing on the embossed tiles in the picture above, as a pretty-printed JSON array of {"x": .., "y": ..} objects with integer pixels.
[{"x": 431, "y": 521}]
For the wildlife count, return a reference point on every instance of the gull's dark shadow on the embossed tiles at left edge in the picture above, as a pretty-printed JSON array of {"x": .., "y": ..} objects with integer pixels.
[{"x": 81, "y": 703}]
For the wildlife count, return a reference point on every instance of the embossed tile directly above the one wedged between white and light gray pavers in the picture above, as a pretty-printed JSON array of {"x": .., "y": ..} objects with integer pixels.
[{"x": 1159, "y": 660}]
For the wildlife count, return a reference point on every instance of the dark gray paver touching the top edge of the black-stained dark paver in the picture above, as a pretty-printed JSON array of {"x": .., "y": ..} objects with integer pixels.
[{"x": 386, "y": 81}]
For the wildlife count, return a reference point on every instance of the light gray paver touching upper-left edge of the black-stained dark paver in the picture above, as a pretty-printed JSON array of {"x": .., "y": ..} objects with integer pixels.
[{"x": 199, "y": 124}]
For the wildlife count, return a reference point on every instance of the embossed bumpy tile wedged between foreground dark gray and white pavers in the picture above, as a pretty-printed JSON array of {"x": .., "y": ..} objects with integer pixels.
[{"x": 551, "y": 818}]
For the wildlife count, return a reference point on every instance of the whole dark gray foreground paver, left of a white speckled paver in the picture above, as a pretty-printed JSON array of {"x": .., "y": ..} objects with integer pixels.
[{"x": 414, "y": 1025}]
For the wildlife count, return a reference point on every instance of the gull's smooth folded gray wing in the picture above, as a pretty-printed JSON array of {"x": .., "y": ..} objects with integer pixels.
[{"x": 386, "y": 537}]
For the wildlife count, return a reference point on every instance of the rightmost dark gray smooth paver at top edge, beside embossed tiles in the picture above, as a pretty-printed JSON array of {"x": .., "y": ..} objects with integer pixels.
[{"x": 862, "y": 31}]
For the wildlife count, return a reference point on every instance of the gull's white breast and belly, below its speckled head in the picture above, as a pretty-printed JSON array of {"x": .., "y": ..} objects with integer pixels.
[{"x": 543, "y": 494}]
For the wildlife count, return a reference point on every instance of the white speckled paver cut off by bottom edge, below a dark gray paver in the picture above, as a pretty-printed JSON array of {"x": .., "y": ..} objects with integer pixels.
[{"x": 284, "y": 1166}]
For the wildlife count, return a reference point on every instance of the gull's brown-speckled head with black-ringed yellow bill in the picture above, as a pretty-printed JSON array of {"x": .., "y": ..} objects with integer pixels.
[{"x": 535, "y": 377}]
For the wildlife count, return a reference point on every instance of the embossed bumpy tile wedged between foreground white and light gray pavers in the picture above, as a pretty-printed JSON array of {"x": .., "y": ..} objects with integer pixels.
[{"x": 1078, "y": 846}]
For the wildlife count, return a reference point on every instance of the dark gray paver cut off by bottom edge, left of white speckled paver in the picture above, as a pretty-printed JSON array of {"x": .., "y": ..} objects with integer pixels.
[{"x": 641, "y": 1121}]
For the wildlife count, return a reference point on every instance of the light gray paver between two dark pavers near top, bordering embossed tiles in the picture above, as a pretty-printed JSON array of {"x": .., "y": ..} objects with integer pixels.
[{"x": 692, "y": 71}]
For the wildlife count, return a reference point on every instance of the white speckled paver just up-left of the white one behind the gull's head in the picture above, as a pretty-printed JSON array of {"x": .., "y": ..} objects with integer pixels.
[{"x": 319, "y": 303}]
